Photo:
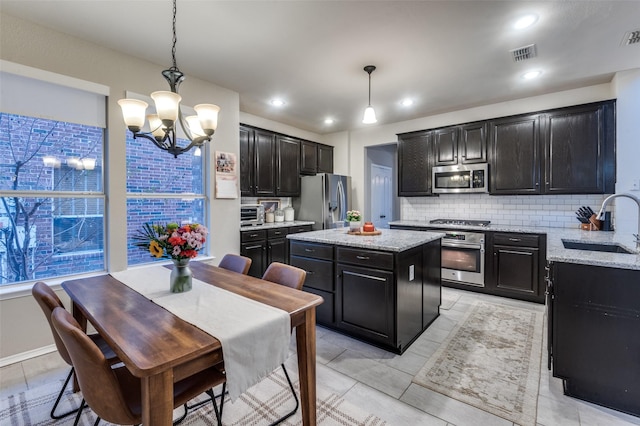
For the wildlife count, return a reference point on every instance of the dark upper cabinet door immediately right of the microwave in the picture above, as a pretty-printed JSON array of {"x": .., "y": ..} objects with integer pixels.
[{"x": 515, "y": 156}]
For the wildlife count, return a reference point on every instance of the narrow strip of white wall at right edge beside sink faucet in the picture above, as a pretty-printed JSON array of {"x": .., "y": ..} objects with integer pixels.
[{"x": 627, "y": 89}]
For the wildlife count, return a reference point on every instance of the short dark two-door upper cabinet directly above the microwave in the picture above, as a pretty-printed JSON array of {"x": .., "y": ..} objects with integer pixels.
[{"x": 464, "y": 144}]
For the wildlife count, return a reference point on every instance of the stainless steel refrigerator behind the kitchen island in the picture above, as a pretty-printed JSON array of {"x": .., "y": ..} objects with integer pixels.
[{"x": 325, "y": 199}]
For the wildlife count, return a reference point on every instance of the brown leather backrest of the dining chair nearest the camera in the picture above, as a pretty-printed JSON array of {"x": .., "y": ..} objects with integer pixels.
[{"x": 99, "y": 384}]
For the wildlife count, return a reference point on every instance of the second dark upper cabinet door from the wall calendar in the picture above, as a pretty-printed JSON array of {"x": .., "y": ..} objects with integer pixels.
[{"x": 265, "y": 160}]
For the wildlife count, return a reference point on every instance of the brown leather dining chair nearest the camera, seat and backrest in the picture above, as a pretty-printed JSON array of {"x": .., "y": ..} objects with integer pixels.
[{"x": 114, "y": 394}]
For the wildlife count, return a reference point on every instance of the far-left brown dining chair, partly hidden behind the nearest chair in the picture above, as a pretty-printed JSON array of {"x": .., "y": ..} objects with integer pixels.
[{"x": 48, "y": 301}]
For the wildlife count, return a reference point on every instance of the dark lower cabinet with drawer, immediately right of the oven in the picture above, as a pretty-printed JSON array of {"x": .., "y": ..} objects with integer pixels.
[{"x": 516, "y": 265}]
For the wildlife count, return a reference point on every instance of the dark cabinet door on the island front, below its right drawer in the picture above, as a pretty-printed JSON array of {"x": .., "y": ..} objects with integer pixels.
[{"x": 365, "y": 302}]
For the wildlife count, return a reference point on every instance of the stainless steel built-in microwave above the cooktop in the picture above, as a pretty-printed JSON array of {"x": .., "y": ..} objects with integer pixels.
[{"x": 461, "y": 178}]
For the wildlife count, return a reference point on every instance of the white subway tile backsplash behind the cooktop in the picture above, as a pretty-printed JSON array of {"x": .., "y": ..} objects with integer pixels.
[{"x": 555, "y": 211}]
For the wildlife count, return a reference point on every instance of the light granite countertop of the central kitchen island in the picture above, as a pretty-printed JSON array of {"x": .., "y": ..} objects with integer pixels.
[{"x": 393, "y": 240}]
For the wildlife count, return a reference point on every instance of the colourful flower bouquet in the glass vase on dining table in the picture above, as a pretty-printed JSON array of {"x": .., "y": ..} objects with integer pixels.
[{"x": 174, "y": 241}]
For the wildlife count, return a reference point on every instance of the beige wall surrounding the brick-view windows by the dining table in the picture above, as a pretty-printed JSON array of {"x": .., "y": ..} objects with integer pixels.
[{"x": 22, "y": 325}]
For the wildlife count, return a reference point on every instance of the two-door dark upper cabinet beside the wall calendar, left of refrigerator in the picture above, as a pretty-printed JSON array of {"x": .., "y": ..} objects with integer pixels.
[{"x": 257, "y": 162}]
